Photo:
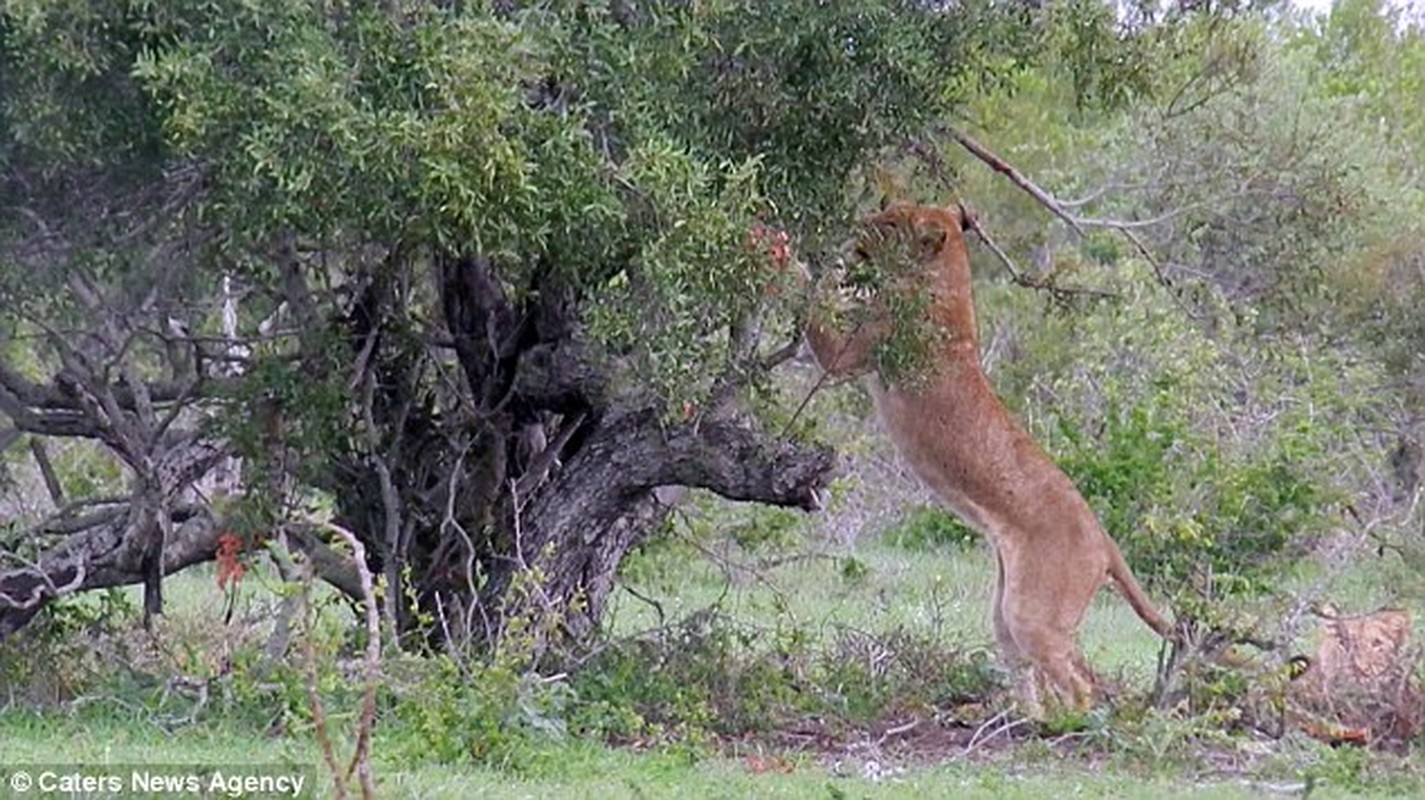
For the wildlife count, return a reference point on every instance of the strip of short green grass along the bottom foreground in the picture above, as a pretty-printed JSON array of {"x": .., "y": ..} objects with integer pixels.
[{"x": 579, "y": 771}]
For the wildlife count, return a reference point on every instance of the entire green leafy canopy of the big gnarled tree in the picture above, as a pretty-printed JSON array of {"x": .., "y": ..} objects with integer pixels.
[{"x": 629, "y": 160}]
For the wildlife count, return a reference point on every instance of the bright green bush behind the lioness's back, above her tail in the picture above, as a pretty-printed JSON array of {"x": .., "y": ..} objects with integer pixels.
[{"x": 1205, "y": 460}]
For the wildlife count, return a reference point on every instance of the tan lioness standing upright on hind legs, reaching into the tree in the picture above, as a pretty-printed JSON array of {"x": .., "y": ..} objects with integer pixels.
[{"x": 960, "y": 440}]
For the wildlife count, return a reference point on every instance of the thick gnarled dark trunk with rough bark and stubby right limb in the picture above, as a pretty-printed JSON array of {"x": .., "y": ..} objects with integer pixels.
[{"x": 549, "y": 474}]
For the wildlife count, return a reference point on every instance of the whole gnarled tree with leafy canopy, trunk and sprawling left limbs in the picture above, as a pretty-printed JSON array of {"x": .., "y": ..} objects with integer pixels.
[{"x": 487, "y": 269}]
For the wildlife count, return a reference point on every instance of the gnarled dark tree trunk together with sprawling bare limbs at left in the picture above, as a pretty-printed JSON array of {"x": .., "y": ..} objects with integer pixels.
[{"x": 511, "y": 494}]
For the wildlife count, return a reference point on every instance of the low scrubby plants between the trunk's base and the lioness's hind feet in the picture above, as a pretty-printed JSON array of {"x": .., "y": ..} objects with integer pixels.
[{"x": 712, "y": 677}]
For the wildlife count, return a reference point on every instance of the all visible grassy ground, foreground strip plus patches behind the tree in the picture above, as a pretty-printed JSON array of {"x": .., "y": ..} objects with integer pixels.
[{"x": 940, "y": 593}]
